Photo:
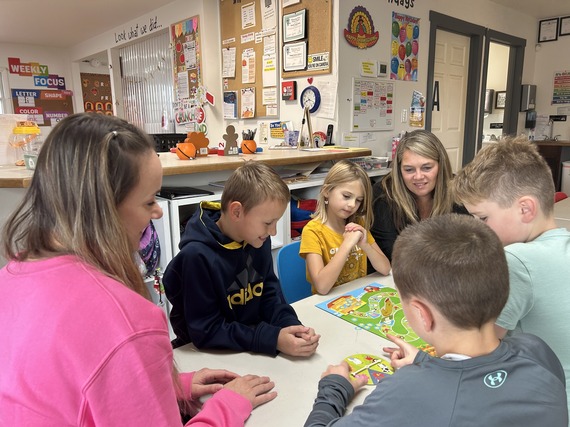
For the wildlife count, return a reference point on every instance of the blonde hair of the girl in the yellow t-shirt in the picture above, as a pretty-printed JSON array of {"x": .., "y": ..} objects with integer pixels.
[{"x": 340, "y": 173}]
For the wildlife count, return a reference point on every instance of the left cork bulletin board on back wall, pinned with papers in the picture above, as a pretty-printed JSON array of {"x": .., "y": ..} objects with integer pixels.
[{"x": 250, "y": 28}]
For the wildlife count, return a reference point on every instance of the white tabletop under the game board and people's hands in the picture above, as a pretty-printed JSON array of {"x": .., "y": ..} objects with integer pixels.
[{"x": 296, "y": 378}]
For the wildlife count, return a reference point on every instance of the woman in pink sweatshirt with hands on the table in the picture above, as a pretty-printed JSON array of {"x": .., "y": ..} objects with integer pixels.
[{"x": 82, "y": 345}]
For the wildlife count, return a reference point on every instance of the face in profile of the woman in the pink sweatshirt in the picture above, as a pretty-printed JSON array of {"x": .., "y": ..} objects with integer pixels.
[{"x": 140, "y": 206}]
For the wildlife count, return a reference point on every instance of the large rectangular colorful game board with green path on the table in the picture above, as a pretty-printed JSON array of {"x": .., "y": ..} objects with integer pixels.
[{"x": 377, "y": 309}]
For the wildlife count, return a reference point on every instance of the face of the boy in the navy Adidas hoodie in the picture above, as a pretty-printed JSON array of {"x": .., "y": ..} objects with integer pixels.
[{"x": 260, "y": 222}]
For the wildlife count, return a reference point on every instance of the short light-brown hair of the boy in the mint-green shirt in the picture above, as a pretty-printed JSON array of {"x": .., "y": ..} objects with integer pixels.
[{"x": 503, "y": 172}]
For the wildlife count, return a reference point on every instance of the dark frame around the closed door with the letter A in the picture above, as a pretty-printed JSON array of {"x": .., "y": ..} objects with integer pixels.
[{"x": 476, "y": 33}]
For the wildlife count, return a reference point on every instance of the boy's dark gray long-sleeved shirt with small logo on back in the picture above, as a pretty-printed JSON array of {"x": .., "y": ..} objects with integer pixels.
[{"x": 520, "y": 384}]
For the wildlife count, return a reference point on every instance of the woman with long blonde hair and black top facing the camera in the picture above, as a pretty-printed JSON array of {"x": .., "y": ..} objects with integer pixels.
[{"x": 416, "y": 188}]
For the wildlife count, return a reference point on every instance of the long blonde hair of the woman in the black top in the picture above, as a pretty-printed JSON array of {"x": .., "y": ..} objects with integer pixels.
[{"x": 404, "y": 207}]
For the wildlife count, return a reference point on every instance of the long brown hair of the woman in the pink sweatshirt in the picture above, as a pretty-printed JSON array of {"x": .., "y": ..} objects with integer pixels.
[{"x": 87, "y": 166}]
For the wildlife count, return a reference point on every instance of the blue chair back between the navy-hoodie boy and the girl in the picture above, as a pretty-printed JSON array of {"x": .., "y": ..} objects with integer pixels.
[{"x": 291, "y": 271}]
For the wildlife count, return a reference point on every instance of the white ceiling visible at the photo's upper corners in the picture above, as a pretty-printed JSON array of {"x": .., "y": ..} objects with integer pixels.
[{"x": 74, "y": 21}]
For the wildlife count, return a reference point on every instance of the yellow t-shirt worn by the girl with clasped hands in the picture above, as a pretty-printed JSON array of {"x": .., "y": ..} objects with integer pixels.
[{"x": 320, "y": 239}]
